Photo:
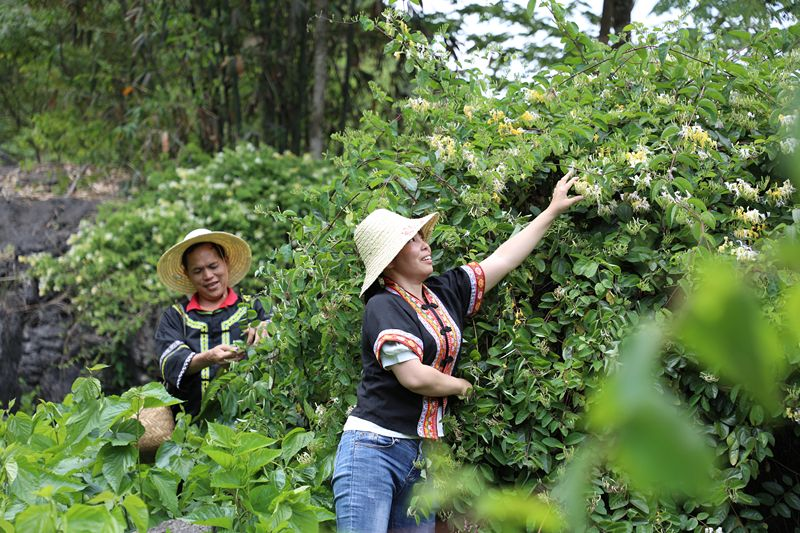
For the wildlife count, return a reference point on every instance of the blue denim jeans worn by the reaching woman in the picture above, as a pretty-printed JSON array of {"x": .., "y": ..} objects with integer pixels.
[{"x": 372, "y": 482}]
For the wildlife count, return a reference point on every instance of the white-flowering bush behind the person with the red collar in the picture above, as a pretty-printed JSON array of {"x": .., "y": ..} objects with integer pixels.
[{"x": 114, "y": 257}]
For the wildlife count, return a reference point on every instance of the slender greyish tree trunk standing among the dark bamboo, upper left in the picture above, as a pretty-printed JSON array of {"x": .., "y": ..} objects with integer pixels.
[{"x": 317, "y": 119}]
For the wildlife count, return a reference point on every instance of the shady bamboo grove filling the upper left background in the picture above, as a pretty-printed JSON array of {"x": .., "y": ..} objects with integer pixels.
[{"x": 145, "y": 79}]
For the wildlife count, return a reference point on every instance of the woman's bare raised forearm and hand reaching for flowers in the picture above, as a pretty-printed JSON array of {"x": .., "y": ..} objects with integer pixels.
[{"x": 513, "y": 252}]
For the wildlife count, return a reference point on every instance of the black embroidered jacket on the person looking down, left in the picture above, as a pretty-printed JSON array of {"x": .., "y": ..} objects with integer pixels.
[{"x": 182, "y": 334}]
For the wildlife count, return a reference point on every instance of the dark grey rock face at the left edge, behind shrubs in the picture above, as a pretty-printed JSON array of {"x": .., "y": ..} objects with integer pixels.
[{"x": 39, "y": 337}]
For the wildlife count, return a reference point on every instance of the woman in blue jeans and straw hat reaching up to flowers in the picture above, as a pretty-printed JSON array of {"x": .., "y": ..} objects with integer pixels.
[{"x": 411, "y": 335}]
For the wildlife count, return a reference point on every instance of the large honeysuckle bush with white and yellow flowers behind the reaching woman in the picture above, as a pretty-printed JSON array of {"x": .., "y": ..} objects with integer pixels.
[{"x": 680, "y": 146}]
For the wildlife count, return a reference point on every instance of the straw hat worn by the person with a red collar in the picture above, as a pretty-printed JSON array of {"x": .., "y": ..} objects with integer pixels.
[{"x": 170, "y": 266}]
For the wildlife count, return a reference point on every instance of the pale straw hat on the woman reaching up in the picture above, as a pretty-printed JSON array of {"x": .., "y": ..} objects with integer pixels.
[{"x": 381, "y": 236}]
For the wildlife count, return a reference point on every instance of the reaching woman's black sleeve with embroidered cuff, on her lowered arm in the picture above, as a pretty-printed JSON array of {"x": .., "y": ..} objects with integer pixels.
[{"x": 385, "y": 320}]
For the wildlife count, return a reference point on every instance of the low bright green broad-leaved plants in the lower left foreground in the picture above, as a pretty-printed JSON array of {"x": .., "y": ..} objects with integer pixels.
[{"x": 74, "y": 466}]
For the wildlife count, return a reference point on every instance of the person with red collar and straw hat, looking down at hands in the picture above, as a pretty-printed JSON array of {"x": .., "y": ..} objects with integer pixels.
[{"x": 195, "y": 338}]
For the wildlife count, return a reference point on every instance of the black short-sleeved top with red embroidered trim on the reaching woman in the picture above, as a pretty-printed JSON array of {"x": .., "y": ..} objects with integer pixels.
[{"x": 431, "y": 329}]
